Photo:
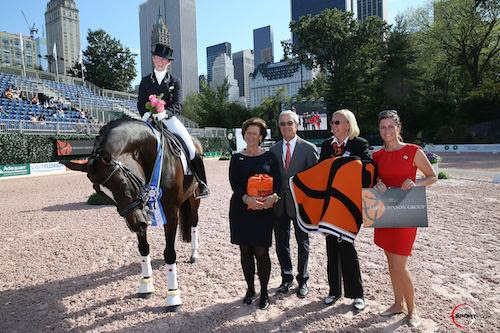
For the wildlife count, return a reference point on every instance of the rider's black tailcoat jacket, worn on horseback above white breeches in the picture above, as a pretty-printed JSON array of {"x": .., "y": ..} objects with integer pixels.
[{"x": 170, "y": 87}]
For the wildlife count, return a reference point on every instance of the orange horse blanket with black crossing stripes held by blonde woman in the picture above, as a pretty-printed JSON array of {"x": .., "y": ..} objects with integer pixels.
[{"x": 327, "y": 196}]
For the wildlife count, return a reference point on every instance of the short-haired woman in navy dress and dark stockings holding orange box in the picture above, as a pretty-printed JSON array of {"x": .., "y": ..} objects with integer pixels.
[{"x": 251, "y": 218}]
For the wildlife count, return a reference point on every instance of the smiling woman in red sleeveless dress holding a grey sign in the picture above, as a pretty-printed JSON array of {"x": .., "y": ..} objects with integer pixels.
[{"x": 397, "y": 164}]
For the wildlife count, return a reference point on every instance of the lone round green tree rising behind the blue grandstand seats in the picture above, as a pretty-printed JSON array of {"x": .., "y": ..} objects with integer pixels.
[{"x": 108, "y": 64}]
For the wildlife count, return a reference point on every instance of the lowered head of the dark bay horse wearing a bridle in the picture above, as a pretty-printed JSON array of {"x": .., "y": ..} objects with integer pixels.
[{"x": 115, "y": 166}]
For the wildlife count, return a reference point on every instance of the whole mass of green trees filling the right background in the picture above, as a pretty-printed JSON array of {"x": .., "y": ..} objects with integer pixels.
[{"x": 438, "y": 65}]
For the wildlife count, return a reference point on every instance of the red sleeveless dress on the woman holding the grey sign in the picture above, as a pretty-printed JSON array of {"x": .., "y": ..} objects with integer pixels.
[{"x": 393, "y": 168}]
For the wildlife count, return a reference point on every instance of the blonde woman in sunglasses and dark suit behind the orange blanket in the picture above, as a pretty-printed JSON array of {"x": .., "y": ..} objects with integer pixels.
[{"x": 342, "y": 257}]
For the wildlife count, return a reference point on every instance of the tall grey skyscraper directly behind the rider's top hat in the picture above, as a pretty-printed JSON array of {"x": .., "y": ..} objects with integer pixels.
[{"x": 180, "y": 18}]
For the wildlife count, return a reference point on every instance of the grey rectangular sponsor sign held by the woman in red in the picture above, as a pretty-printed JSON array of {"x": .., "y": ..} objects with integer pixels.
[{"x": 394, "y": 208}]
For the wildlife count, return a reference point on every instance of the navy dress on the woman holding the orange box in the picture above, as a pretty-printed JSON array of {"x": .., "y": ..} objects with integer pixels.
[{"x": 251, "y": 227}]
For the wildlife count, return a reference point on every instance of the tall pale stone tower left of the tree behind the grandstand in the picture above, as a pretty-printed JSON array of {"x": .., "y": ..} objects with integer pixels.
[{"x": 62, "y": 23}]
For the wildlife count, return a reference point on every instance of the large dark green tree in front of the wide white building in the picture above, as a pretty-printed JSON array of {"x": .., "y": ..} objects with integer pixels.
[{"x": 346, "y": 50}]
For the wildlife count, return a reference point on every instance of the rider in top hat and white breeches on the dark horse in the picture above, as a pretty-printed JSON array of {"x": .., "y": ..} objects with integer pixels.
[{"x": 162, "y": 82}]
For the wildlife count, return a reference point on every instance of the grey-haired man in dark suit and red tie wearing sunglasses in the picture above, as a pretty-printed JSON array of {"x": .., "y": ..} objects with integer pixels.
[{"x": 295, "y": 155}]
